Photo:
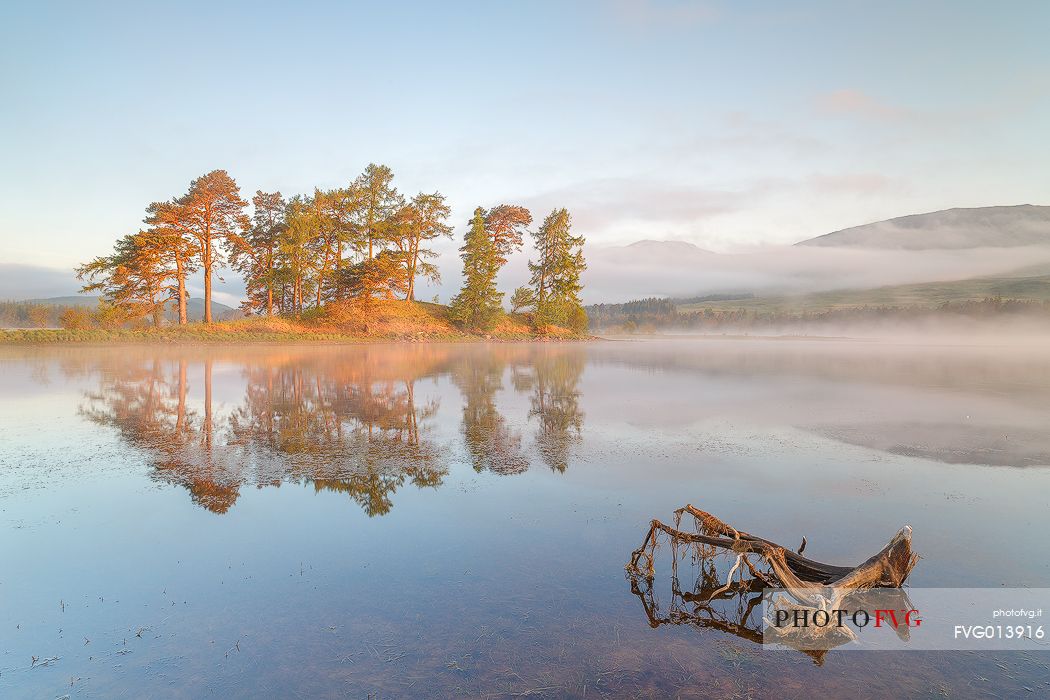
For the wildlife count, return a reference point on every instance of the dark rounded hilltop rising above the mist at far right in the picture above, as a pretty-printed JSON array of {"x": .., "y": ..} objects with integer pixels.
[{"x": 983, "y": 227}]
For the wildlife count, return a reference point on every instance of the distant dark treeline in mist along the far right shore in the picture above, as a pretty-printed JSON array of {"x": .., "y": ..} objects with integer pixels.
[{"x": 658, "y": 314}]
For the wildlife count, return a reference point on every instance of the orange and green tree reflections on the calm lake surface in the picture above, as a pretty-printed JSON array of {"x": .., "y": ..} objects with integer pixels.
[{"x": 347, "y": 421}]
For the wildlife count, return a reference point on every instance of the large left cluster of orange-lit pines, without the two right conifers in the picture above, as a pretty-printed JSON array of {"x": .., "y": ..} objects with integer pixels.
[{"x": 362, "y": 241}]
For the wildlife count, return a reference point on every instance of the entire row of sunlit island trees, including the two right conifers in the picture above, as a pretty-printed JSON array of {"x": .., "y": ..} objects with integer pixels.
[{"x": 359, "y": 243}]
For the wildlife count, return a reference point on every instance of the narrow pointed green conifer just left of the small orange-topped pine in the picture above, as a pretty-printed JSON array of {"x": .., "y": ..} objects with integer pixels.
[{"x": 478, "y": 305}]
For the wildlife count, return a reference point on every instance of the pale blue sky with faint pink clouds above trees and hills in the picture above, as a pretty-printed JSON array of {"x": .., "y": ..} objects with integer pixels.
[{"x": 726, "y": 124}]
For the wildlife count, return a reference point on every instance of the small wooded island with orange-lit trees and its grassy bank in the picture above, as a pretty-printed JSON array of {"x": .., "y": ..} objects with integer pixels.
[{"x": 338, "y": 265}]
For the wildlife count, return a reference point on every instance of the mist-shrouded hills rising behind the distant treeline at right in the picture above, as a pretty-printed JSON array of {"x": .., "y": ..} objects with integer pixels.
[{"x": 939, "y": 247}]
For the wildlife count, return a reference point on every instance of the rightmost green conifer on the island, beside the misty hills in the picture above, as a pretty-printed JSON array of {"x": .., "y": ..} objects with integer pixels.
[{"x": 556, "y": 277}]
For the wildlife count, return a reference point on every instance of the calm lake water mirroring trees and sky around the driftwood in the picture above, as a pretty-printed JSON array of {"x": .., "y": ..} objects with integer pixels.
[{"x": 453, "y": 521}]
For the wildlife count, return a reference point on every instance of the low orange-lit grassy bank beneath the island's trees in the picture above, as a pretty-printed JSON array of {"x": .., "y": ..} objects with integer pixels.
[{"x": 377, "y": 322}]
